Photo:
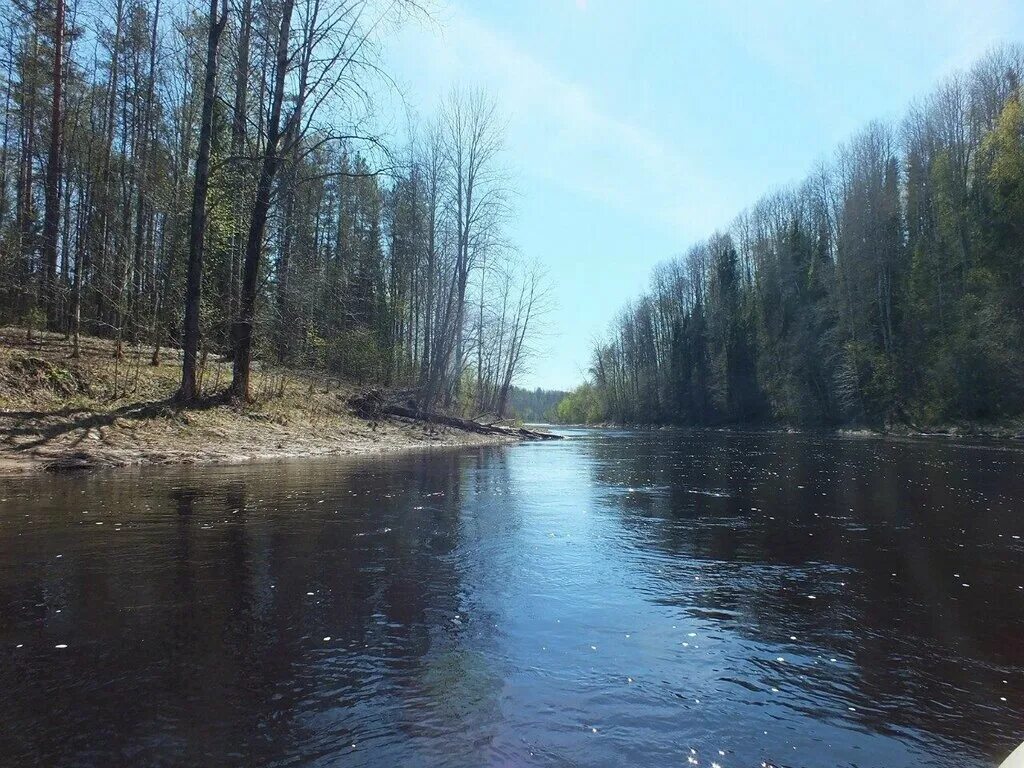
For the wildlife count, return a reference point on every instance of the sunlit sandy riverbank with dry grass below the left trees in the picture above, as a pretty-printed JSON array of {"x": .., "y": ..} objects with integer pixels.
[{"x": 101, "y": 410}]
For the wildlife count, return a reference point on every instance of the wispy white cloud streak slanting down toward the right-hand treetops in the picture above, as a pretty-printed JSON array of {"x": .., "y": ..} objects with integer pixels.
[{"x": 561, "y": 131}]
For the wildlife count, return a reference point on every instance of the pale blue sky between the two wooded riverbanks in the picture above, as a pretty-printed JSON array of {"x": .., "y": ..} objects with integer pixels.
[{"x": 635, "y": 129}]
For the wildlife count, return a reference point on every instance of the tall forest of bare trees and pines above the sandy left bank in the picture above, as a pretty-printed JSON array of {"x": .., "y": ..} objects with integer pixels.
[{"x": 209, "y": 179}]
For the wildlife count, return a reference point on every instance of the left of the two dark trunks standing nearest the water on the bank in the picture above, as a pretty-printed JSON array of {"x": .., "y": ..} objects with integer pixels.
[{"x": 197, "y": 234}]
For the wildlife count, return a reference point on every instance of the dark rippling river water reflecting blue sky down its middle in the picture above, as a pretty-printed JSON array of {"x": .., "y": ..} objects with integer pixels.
[{"x": 617, "y": 599}]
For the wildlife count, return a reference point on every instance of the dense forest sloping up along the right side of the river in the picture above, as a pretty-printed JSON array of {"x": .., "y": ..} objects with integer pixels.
[{"x": 888, "y": 287}]
